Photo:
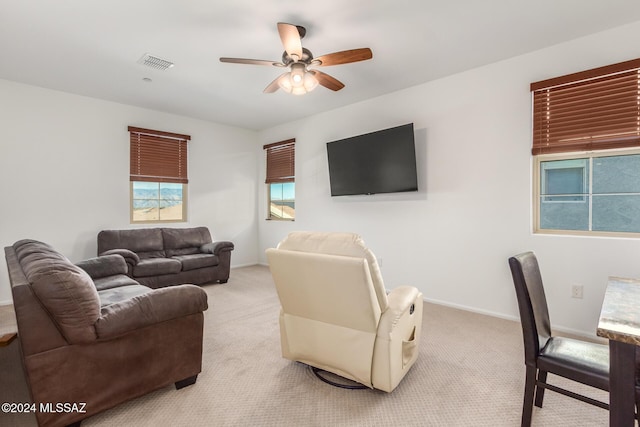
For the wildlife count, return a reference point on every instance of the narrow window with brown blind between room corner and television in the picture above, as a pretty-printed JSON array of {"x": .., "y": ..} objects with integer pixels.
[{"x": 281, "y": 180}]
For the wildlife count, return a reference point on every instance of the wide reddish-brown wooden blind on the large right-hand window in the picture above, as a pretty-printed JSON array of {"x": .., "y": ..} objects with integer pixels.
[{"x": 591, "y": 110}]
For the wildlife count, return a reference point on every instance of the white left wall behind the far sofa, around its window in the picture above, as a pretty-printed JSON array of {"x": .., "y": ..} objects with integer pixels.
[{"x": 64, "y": 173}]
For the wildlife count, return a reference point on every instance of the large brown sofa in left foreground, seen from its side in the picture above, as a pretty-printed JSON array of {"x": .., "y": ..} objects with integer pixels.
[{"x": 94, "y": 337}]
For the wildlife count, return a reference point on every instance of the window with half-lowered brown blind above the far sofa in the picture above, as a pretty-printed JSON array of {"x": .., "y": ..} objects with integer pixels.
[{"x": 158, "y": 175}]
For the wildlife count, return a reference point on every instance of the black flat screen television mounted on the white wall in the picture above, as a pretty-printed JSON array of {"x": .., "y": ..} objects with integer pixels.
[{"x": 378, "y": 162}]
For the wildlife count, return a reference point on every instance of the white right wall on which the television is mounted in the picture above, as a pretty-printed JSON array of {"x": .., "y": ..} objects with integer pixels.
[{"x": 452, "y": 238}]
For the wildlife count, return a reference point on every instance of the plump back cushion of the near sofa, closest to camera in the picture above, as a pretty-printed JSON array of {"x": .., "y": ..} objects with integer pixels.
[{"x": 65, "y": 290}]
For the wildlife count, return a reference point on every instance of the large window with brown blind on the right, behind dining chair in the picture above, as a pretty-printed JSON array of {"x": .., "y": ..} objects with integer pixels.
[{"x": 586, "y": 134}]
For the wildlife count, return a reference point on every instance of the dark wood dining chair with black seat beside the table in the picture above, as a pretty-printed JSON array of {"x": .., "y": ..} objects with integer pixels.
[{"x": 581, "y": 361}]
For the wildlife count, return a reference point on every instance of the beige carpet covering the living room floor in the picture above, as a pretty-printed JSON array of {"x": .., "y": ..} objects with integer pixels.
[{"x": 470, "y": 372}]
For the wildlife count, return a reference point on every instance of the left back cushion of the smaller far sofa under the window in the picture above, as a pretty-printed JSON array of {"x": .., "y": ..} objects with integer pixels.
[{"x": 146, "y": 242}]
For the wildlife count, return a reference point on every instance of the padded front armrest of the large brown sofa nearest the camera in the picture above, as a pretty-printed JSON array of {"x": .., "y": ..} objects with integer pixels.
[{"x": 149, "y": 309}]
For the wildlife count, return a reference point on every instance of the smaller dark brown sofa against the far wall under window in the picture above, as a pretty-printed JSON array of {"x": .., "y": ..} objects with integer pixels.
[{"x": 158, "y": 257}]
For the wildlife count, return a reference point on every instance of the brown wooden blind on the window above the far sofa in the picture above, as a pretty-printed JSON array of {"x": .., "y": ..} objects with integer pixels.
[{"x": 158, "y": 156}]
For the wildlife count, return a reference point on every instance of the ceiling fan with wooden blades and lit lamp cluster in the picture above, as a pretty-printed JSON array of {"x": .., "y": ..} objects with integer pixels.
[{"x": 300, "y": 79}]
